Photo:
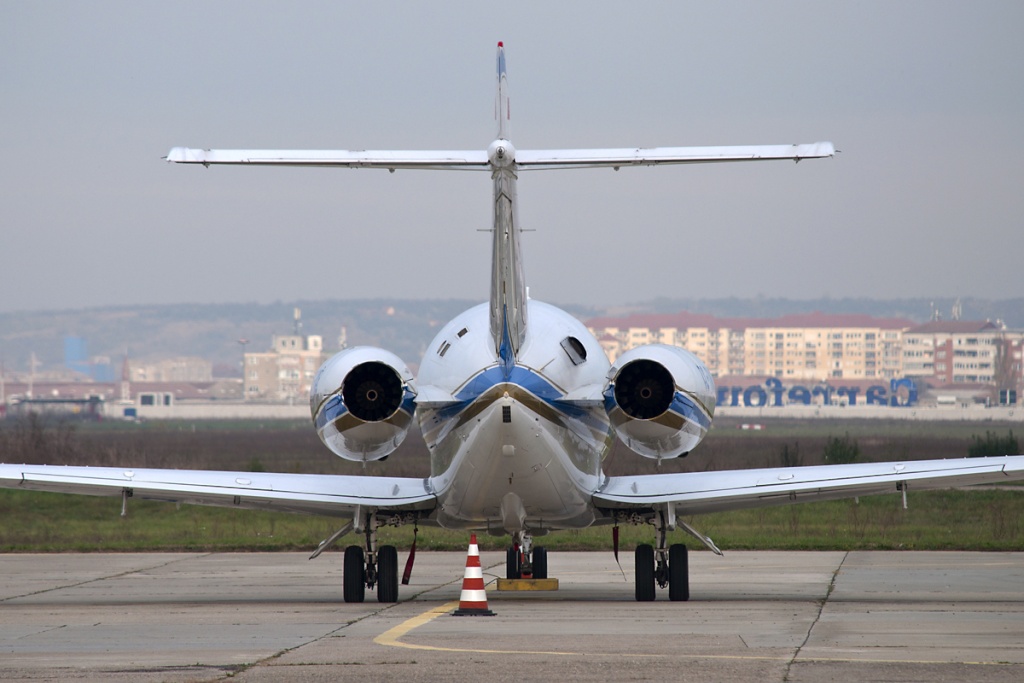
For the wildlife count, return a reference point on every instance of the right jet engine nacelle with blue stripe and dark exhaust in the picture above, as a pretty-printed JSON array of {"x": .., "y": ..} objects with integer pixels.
[{"x": 661, "y": 400}]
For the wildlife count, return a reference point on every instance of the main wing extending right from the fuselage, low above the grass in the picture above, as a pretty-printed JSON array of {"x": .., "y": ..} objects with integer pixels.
[{"x": 734, "y": 490}]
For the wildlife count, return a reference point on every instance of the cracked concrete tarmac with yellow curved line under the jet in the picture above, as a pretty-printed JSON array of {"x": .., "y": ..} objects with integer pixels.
[{"x": 761, "y": 617}]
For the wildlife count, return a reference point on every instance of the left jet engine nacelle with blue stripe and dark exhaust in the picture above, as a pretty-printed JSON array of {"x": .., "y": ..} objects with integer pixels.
[{"x": 362, "y": 403}]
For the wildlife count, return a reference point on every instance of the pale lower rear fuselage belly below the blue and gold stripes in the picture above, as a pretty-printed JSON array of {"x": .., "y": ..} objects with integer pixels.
[{"x": 527, "y": 456}]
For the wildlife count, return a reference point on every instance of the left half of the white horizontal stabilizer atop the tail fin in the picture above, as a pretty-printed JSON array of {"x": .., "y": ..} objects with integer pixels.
[{"x": 473, "y": 160}]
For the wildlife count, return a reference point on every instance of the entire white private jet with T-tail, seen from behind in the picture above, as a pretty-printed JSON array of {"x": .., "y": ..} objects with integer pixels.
[{"x": 519, "y": 407}]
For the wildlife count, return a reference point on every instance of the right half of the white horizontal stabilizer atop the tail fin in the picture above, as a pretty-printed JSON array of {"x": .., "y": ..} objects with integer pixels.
[{"x": 549, "y": 159}]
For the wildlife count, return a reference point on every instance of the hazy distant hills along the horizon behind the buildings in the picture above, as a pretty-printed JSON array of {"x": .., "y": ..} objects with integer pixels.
[{"x": 405, "y": 327}]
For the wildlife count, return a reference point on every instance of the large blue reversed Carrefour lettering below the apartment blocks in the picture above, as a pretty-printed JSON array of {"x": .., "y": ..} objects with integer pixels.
[{"x": 900, "y": 394}]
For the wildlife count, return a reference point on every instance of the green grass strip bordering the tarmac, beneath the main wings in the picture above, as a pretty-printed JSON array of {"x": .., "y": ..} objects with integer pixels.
[{"x": 982, "y": 520}]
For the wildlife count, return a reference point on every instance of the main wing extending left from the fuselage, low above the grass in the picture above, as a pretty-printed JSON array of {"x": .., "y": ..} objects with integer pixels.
[{"x": 312, "y": 494}]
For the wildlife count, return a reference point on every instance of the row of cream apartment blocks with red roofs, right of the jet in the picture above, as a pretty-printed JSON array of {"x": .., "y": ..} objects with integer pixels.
[{"x": 819, "y": 348}]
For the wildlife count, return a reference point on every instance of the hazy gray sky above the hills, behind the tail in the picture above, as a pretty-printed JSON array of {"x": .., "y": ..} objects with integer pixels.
[{"x": 925, "y": 101}]
